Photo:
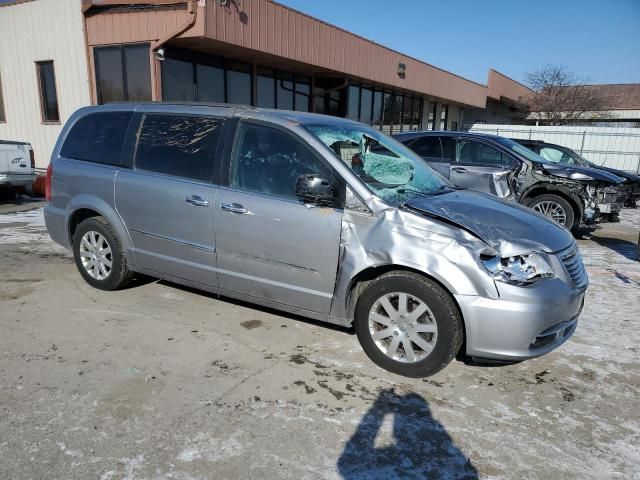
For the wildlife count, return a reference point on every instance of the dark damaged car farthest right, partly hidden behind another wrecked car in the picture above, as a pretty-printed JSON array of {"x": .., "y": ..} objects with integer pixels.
[{"x": 630, "y": 186}]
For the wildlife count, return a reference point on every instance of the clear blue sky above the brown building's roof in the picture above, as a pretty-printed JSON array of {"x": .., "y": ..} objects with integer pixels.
[{"x": 599, "y": 40}]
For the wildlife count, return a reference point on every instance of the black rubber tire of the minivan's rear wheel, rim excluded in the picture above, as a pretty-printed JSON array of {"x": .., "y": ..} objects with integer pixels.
[{"x": 120, "y": 275}]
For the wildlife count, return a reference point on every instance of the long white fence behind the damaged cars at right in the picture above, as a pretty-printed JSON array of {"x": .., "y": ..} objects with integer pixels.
[{"x": 608, "y": 146}]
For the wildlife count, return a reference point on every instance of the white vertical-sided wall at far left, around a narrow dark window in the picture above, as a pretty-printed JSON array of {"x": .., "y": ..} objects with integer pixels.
[{"x": 33, "y": 31}]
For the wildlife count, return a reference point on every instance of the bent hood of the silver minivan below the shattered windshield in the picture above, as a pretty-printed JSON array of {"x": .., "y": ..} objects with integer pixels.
[{"x": 507, "y": 227}]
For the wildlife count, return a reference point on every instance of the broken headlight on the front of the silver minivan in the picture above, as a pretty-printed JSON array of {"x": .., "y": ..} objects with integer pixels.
[{"x": 519, "y": 269}]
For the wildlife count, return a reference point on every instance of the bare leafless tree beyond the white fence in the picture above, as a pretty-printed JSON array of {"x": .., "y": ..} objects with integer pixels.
[{"x": 560, "y": 98}]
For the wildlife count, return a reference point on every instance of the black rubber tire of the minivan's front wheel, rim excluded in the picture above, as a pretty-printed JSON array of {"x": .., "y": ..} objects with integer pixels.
[{"x": 441, "y": 304}]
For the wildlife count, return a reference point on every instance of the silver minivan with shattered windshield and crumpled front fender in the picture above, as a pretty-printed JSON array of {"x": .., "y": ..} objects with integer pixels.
[{"x": 315, "y": 215}]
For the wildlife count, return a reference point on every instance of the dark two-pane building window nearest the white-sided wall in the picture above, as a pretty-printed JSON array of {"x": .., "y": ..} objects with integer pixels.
[{"x": 123, "y": 73}]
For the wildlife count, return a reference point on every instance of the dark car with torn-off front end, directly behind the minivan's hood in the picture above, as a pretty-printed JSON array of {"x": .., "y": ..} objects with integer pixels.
[{"x": 568, "y": 194}]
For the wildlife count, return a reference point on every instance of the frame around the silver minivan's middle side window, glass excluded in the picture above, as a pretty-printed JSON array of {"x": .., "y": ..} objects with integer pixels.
[{"x": 131, "y": 142}]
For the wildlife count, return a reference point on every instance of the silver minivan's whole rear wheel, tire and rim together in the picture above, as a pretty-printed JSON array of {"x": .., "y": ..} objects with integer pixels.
[{"x": 99, "y": 256}]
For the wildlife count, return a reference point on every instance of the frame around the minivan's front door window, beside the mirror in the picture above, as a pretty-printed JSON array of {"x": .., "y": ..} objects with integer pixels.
[{"x": 232, "y": 148}]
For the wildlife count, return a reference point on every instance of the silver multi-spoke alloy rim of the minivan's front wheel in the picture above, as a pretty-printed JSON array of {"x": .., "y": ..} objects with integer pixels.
[{"x": 403, "y": 327}]
